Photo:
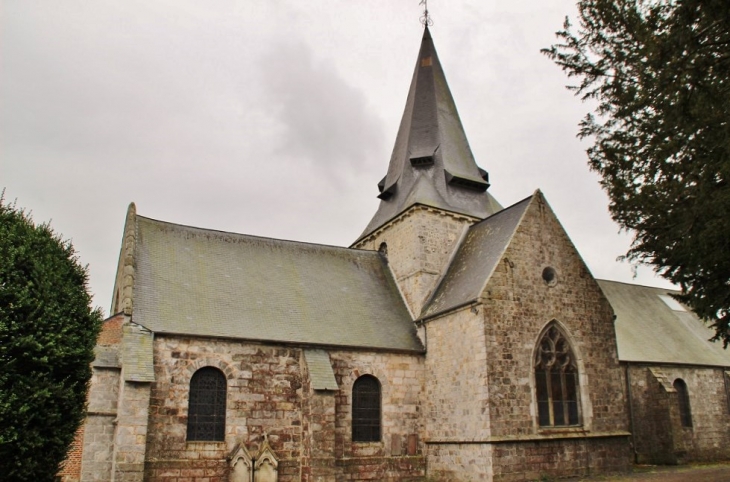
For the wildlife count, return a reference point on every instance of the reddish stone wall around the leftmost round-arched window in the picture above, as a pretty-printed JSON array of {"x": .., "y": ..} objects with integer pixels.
[{"x": 264, "y": 396}]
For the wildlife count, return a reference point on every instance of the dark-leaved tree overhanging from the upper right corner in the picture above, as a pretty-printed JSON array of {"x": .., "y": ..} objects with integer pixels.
[{"x": 658, "y": 72}]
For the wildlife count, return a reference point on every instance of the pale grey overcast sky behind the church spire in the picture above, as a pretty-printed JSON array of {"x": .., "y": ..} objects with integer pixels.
[{"x": 275, "y": 118}]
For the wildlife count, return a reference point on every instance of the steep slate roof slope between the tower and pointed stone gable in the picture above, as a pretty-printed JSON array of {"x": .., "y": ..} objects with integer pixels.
[{"x": 479, "y": 253}]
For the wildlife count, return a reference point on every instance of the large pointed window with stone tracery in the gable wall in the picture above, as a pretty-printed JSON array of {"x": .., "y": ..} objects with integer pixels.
[{"x": 556, "y": 381}]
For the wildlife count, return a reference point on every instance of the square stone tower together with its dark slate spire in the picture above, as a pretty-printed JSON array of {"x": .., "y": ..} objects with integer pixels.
[{"x": 433, "y": 189}]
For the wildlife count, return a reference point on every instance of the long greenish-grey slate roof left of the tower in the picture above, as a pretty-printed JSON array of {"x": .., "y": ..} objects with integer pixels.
[{"x": 210, "y": 283}]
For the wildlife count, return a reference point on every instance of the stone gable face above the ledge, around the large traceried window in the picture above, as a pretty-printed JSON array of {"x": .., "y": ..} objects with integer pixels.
[{"x": 519, "y": 304}]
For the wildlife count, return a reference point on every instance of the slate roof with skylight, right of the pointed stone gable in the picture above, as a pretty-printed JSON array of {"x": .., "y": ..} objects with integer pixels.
[{"x": 647, "y": 330}]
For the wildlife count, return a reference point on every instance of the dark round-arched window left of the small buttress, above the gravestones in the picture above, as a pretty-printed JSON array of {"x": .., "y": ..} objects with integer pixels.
[{"x": 207, "y": 405}]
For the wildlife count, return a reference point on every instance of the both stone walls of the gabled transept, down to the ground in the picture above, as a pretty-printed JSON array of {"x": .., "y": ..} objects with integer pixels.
[{"x": 491, "y": 431}]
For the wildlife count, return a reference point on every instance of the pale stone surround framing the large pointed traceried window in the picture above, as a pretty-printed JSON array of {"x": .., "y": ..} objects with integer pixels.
[{"x": 585, "y": 405}]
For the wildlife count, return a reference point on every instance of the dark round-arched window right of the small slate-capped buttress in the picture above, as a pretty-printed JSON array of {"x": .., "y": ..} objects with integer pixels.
[{"x": 366, "y": 409}]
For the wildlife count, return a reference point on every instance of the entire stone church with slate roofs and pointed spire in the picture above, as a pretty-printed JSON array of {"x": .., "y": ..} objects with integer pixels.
[{"x": 455, "y": 340}]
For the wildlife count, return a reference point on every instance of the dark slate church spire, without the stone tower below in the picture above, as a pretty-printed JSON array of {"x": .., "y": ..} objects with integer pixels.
[{"x": 432, "y": 163}]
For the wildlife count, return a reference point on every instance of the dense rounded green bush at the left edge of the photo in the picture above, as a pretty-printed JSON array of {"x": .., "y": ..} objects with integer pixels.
[{"x": 47, "y": 337}]
